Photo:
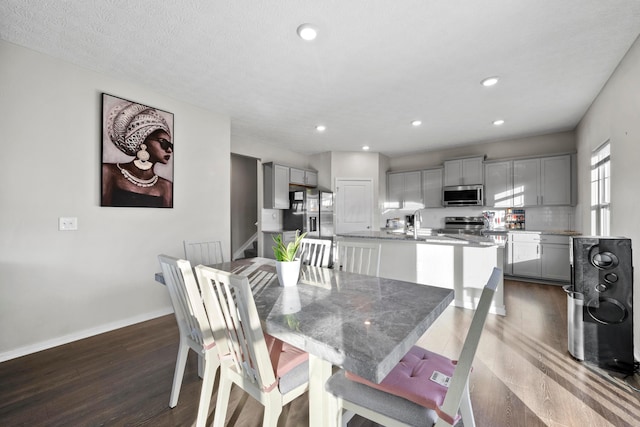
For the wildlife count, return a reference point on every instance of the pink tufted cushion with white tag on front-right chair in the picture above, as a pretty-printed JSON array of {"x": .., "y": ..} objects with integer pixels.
[{"x": 410, "y": 379}]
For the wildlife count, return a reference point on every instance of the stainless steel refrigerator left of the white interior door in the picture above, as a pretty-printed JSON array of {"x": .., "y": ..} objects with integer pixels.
[{"x": 310, "y": 211}]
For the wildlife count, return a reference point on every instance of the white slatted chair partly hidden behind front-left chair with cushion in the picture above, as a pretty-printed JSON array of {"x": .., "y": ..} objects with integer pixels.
[{"x": 195, "y": 331}]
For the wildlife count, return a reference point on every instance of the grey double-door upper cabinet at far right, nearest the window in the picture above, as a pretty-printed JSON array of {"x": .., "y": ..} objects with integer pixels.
[{"x": 543, "y": 181}]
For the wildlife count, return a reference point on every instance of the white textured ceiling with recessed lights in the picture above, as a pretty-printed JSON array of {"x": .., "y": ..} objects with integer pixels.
[{"x": 375, "y": 66}]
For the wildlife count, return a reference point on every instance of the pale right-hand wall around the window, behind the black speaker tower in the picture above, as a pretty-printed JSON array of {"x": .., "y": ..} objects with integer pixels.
[{"x": 615, "y": 116}]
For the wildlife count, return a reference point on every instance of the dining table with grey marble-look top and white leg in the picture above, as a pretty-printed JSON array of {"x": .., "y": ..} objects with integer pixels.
[{"x": 364, "y": 324}]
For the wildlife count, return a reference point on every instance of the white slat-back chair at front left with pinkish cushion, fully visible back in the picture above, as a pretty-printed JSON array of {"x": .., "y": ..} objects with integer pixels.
[{"x": 272, "y": 372}]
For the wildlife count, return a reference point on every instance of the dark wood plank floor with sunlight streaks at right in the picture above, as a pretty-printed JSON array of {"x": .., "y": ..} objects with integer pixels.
[{"x": 523, "y": 376}]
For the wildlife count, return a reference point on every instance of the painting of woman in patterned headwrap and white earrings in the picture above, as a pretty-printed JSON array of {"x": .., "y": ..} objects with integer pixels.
[{"x": 137, "y": 154}]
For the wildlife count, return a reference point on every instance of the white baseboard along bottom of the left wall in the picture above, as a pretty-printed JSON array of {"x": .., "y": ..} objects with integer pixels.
[{"x": 66, "y": 339}]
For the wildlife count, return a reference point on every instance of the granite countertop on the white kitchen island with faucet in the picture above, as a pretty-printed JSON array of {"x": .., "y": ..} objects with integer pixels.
[{"x": 425, "y": 236}]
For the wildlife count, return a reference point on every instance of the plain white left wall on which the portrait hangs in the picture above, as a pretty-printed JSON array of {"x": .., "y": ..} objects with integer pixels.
[{"x": 57, "y": 286}]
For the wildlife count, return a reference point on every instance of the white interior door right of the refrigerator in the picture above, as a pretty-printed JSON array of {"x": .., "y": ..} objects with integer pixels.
[{"x": 354, "y": 205}]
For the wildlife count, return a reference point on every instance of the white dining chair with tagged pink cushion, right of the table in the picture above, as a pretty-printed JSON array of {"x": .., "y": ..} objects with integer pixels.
[{"x": 414, "y": 393}]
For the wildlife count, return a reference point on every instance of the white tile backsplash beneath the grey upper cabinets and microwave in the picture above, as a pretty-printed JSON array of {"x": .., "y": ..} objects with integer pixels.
[{"x": 537, "y": 218}]
